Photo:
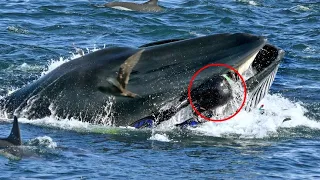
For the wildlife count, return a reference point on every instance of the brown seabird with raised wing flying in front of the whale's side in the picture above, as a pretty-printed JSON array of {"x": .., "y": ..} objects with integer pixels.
[{"x": 124, "y": 74}]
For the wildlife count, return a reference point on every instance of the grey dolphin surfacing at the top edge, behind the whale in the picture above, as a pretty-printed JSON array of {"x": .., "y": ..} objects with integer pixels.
[{"x": 149, "y": 6}]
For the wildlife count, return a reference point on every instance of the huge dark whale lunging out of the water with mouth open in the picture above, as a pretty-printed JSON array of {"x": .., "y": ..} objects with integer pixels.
[{"x": 119, "y": 85}]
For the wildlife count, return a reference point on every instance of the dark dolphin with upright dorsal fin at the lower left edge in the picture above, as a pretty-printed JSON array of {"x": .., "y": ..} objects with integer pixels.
[{"x": 14, "y": 139}]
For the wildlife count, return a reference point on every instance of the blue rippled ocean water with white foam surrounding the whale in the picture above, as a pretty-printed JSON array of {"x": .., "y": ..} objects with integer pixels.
[{"x": 37, "y": 36}]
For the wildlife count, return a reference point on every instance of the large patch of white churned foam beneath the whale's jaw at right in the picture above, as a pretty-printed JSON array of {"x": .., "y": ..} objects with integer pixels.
[{"x": 255, "y": 125}]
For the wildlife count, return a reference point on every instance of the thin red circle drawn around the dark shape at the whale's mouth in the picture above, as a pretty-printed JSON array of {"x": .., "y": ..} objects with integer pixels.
[{"x": 214, "y": 65}]
